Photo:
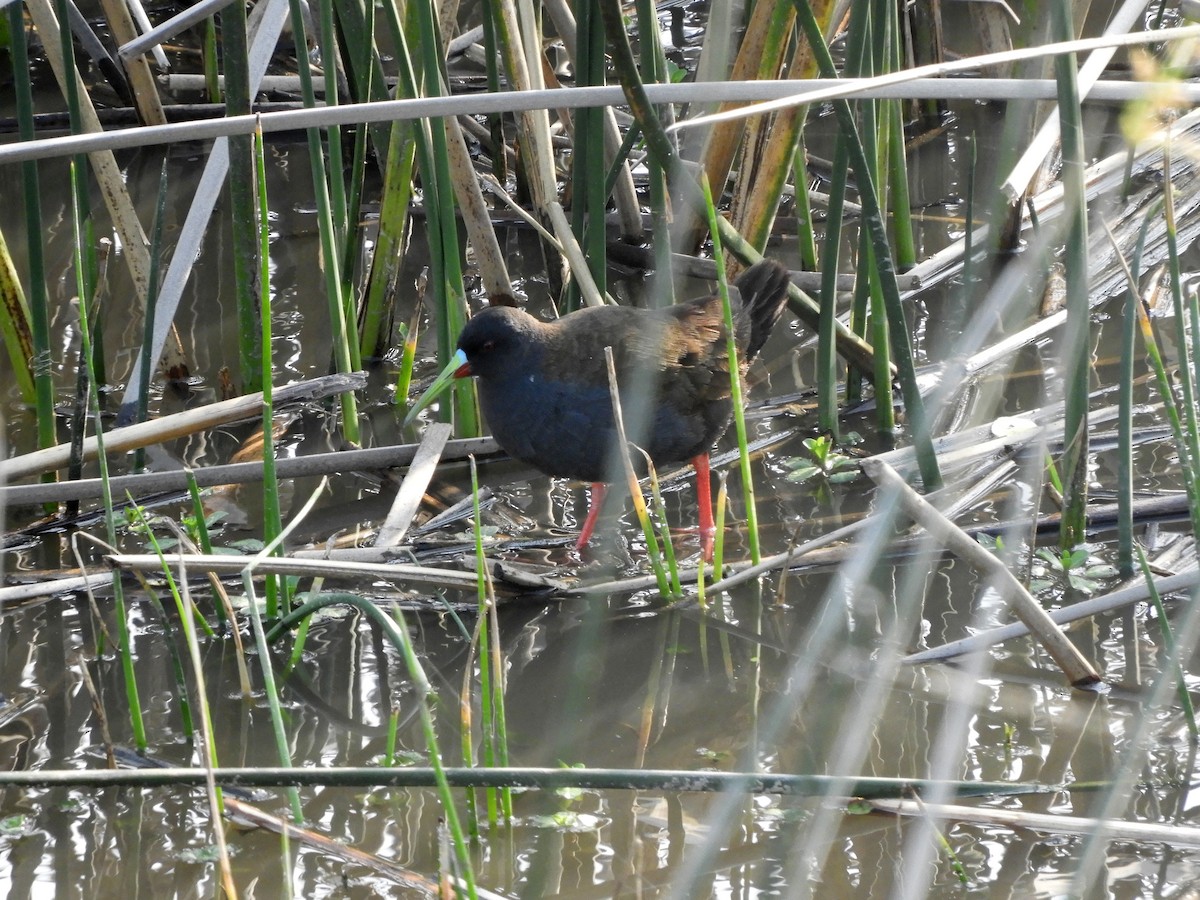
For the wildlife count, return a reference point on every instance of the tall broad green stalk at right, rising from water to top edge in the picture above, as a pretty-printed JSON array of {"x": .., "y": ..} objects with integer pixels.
[{"x": 1077, "y": 364}]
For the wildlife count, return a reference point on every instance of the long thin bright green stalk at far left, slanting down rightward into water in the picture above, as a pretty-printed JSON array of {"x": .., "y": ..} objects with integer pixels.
[{"x": 123, "y": 623}]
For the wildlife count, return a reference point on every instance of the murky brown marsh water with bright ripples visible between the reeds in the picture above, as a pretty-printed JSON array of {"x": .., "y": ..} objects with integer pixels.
[{"x": 795, "y": 675}]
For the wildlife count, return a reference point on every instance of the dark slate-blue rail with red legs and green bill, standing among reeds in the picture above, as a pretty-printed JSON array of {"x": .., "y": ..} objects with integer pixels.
[{"x": 544, "y": 386}]
